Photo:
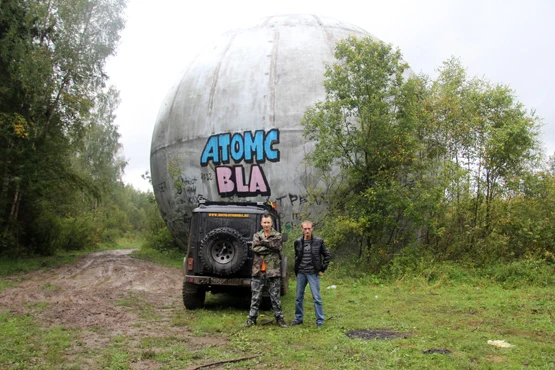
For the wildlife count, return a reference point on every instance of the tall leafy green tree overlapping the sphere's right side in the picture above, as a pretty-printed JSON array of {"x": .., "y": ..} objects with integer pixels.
[{"x": 366, "y": 133}]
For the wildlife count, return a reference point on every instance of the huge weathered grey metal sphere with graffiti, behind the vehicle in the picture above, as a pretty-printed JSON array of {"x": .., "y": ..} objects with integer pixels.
[{"x": 229, "y": 129}]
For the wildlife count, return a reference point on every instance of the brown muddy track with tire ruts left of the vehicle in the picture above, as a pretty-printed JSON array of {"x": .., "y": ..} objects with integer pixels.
[{"x": 87, "y": 292}]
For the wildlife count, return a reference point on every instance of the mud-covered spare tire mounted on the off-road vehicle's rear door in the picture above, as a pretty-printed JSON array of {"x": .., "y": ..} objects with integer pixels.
[{"x": 223, "y": 251}]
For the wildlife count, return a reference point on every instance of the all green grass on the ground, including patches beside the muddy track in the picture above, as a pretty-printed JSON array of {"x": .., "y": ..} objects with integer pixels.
[{"x": 418, "y": 324}]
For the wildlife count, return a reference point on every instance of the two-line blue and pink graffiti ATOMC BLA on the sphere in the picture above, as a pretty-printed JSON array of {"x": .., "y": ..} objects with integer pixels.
[{"x": 253, "y": 148}]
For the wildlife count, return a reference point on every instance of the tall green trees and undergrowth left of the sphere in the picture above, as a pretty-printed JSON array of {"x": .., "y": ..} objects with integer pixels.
[{"x": 60, "y": 156}]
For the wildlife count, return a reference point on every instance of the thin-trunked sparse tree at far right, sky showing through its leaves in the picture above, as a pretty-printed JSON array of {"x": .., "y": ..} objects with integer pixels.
[{"x": 490, "y": 144}]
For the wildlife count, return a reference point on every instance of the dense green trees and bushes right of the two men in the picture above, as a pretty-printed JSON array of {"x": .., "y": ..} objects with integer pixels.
[{"x": 446, "y": 169}]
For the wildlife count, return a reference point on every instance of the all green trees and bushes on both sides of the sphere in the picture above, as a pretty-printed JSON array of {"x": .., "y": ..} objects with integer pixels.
[{"x": 449, "y": 168}]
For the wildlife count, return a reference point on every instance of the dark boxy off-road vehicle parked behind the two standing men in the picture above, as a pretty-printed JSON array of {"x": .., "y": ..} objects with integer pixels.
[{"x": 219, "y": 253}]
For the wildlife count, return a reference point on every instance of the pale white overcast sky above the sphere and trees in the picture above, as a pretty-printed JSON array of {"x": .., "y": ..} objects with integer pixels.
[{"x": 510, "y": 42}]
